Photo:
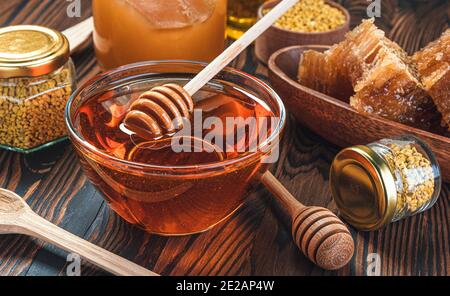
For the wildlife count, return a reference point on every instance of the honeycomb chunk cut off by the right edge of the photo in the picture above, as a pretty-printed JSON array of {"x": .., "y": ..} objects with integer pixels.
[{"x": 433, "y": 63}]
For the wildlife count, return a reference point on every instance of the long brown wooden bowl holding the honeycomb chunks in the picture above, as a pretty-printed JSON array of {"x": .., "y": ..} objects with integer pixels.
[{"x": 335, "y": 120}]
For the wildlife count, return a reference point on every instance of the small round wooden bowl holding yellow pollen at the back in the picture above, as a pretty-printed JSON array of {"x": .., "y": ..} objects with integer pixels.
[{"x": 276, "y": 38}]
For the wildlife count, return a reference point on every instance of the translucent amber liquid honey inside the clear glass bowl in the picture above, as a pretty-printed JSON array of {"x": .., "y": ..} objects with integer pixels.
[{"x": 179, "y": 192}]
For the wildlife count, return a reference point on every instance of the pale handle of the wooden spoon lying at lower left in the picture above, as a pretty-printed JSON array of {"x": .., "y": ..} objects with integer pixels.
[{"x": 33, "y": 225}]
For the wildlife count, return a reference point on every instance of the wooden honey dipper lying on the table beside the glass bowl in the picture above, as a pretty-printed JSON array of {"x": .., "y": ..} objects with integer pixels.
[{"x": 318, "y": 233}]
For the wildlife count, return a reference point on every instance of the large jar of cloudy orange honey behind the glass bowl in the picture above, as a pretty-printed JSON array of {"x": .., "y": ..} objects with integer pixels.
[{"x": 128, "y": 31}]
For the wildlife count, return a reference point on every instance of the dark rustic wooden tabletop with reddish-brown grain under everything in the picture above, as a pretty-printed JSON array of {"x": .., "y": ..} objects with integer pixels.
[{"x": 256, "y": 240}]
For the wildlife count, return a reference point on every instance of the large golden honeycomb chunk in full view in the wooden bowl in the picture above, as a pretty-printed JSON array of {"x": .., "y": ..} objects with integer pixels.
[{"x": 375, "y": 72}]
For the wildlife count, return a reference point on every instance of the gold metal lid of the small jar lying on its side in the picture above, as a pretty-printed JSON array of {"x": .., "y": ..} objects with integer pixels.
[{"x": 363, "y": 188}]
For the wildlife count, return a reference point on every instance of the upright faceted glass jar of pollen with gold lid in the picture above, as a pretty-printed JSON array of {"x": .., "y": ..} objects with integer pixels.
[{"x": 37, "y": 77}]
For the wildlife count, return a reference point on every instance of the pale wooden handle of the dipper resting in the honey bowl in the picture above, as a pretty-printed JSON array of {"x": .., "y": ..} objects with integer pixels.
[{"x": 237, "y": 47}]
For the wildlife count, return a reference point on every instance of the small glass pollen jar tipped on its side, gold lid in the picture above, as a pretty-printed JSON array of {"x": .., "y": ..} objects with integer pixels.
[{"x": 385, "y": 181}]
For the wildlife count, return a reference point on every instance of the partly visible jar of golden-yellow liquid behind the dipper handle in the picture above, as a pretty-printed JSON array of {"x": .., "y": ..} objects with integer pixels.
[{"x": 242, "y": 14}]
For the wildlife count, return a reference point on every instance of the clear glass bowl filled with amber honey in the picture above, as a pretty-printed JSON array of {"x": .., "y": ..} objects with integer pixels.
[{"x": 156, "y": 185}]
